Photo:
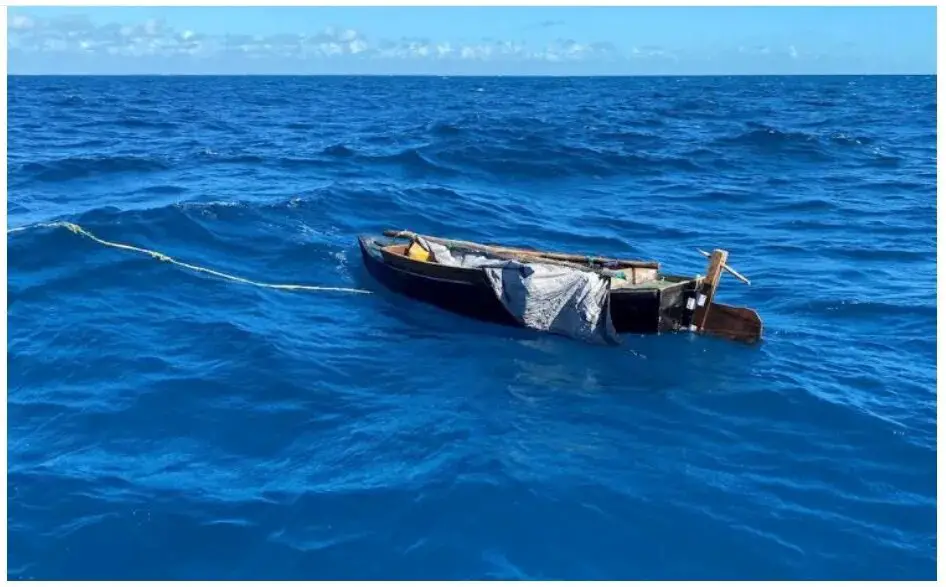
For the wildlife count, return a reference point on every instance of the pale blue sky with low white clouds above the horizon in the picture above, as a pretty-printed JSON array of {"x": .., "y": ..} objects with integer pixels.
[{"x": 484, "y": 40}]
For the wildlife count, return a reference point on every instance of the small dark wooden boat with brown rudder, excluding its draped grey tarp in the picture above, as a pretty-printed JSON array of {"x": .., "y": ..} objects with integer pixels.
[{"x": 642, "y": 299}]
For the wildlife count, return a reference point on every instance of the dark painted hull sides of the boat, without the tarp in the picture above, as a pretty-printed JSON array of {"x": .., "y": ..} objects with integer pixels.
[{"x": 467, "y": 292}]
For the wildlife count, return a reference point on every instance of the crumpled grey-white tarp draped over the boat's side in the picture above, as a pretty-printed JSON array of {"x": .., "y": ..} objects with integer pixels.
[{"x": 541, "y": 296}]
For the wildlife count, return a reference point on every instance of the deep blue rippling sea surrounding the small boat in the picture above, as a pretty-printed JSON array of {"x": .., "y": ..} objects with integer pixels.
[{"x": 167, "y": 424}]
